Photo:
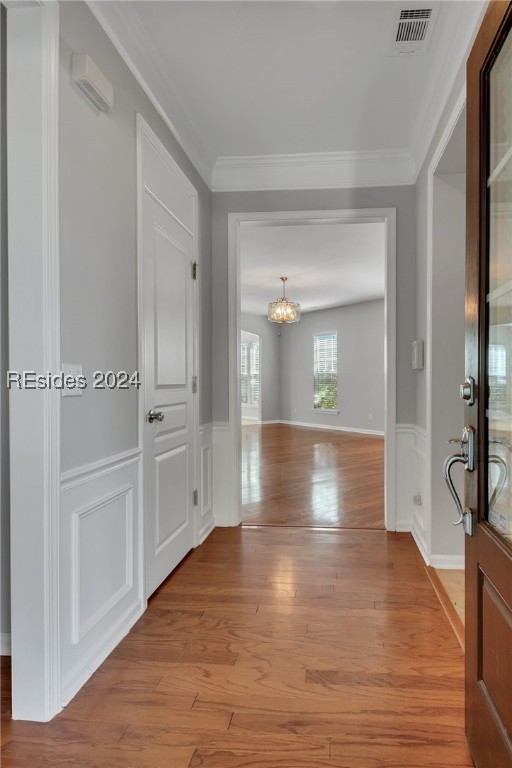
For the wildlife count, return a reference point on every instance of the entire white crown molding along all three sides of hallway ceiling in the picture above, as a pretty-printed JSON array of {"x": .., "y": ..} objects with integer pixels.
[{"x": 322, "y": 170}]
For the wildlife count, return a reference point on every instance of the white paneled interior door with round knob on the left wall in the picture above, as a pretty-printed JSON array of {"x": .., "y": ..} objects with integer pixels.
[{"x": 168, "y": 329}]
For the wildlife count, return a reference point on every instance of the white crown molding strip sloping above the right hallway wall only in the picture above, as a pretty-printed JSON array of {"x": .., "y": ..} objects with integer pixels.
[{"x": 467, "y": 23}]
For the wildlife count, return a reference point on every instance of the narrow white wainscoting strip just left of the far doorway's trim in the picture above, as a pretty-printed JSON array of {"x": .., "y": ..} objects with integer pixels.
[{"x": 225, "y": 487}]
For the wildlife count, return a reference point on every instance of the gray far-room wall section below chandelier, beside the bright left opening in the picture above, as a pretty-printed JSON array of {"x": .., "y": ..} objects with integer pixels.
[{"x": 270, "y": 367}]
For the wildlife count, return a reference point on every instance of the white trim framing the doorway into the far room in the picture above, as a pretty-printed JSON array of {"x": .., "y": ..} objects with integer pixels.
[{"x": 386, "y": 216}]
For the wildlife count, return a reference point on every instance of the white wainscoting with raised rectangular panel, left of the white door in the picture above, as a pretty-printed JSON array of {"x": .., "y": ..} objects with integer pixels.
[{"x": 101, "y": 571}]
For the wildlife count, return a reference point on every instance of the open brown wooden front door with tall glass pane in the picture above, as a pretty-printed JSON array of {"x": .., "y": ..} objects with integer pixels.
[{"x": 489, "y": 362}]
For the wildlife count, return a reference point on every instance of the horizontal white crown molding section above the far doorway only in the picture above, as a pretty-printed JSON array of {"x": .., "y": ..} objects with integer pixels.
[{"x": 319, "y": 170}]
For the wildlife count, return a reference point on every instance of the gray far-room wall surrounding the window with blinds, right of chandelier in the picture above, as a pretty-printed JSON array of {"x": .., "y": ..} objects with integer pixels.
[{"x": 360, "y": 330}]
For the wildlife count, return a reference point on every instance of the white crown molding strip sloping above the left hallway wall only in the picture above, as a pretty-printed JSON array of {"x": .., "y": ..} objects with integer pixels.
[{"x": 126, "y": 33}]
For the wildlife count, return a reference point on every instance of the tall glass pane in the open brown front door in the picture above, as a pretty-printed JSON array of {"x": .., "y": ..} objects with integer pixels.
[{"x": 499, "y": 339}]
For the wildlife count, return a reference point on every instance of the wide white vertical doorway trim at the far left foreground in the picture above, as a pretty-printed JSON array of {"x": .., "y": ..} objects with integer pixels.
[{"x": 34, "y": 344}]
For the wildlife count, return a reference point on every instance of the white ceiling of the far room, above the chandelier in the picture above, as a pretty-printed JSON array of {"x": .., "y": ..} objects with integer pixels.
[{"x": 327, "y": 265}]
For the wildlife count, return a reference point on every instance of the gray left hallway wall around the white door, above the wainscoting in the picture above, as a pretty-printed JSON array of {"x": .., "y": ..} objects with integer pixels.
[{"x": 98, "y": 244}]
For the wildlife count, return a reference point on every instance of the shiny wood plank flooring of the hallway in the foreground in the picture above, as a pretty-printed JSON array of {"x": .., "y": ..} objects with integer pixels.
[{"x": 272, "y": 648}]
